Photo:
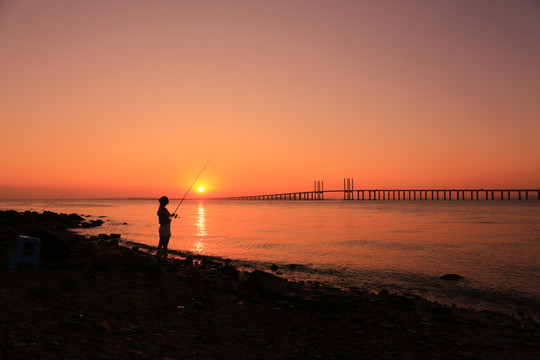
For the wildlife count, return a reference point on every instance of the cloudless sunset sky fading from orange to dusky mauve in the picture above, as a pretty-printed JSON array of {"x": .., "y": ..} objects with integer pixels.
[{"x": 131, "y": 98}]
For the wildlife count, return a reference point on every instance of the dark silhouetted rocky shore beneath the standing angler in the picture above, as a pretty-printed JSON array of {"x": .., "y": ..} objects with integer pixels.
[{"x": 92, "y": 298}]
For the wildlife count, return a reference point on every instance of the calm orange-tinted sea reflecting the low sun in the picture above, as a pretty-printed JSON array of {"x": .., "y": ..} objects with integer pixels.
[{"x": 404, "y": 246}]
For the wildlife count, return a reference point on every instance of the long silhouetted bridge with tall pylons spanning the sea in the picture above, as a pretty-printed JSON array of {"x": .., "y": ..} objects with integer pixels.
[{"x": 349, "y": 193}]
